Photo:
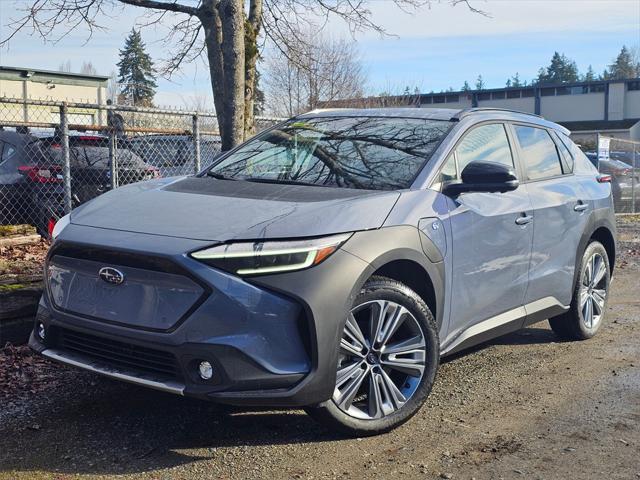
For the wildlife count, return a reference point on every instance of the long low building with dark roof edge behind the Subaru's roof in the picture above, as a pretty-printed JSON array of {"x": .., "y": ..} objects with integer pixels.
[{"x": 608, "y": 107}]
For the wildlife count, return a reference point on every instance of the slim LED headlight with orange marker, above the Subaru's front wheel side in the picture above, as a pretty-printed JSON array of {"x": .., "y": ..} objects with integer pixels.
[{"x": 254, "y": 258}]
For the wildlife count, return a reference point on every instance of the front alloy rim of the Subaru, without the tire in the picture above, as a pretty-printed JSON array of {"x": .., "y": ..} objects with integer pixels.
[{"x": 382, "y": 360}]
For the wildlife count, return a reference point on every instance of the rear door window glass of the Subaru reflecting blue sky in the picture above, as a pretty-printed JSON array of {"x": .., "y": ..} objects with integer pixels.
[{"x": 539, "y": 151}]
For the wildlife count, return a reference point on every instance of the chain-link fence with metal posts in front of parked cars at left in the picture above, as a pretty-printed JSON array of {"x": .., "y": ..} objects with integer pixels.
[{"x": 55, "y": 156}]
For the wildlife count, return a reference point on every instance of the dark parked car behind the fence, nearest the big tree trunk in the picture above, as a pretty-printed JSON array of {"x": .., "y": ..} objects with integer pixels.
[{"x": 174, "y": 154}]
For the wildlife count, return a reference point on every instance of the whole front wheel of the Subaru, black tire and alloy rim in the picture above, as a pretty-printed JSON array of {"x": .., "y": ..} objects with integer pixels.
[{"x": 388, "y": 358}]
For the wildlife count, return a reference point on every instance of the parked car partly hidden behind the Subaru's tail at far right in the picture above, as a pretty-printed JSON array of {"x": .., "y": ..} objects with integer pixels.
[{"x": 622, "y": 181}]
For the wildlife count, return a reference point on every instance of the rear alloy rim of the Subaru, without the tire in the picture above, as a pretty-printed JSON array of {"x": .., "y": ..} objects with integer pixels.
[{"x": 593, "y": 291}]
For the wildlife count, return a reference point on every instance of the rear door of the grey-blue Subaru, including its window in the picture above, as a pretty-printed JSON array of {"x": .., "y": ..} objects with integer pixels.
[{"x": 561, "y": 213}]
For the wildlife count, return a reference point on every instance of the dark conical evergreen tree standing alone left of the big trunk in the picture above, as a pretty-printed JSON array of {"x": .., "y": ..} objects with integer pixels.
[{"x": 136, "y": 72}]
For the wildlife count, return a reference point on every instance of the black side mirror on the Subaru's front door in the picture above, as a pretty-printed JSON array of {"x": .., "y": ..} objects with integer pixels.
[{"x": 484, "y": 177}]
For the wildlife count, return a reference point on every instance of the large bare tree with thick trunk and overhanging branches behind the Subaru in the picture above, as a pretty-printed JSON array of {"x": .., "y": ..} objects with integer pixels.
[{"x": 227, "y": 33}]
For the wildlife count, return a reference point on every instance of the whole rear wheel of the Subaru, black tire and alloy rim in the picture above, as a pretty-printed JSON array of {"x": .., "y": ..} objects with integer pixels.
[{"x": 590, "y": 294}]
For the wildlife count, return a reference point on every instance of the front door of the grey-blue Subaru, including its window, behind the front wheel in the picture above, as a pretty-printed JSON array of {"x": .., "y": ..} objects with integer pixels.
[{"x": 492, "y": 234}]
